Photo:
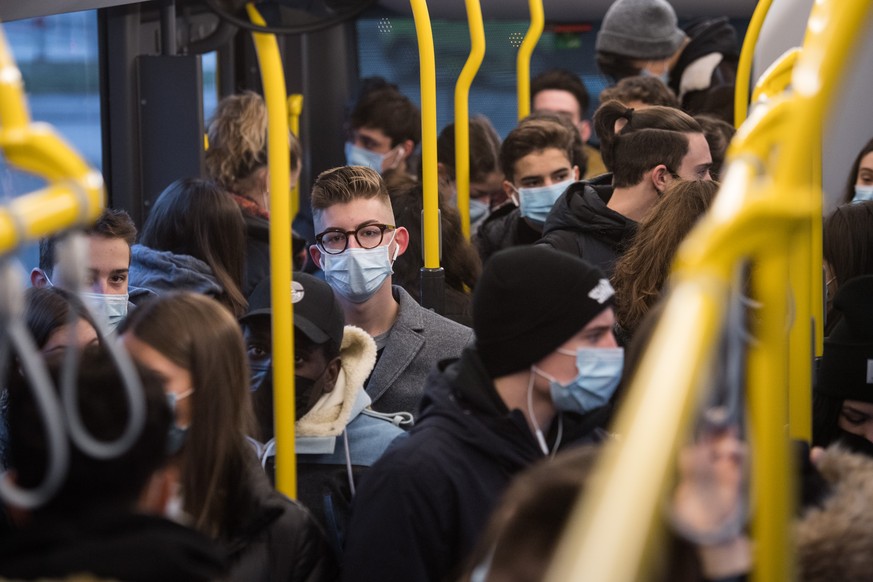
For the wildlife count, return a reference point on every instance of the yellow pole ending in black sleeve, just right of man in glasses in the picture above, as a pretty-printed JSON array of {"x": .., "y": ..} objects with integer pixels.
[{"x": 430, "y": 179}]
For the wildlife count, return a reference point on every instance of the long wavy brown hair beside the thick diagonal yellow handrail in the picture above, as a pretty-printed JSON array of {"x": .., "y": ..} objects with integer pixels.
[{"x": 642, "y": 271}]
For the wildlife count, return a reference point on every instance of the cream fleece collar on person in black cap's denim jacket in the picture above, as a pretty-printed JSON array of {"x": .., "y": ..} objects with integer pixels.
[{"x": 337, "y": 408}]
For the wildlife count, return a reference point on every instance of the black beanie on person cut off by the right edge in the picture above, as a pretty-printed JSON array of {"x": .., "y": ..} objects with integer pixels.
[{"x": 847, "y": 364}]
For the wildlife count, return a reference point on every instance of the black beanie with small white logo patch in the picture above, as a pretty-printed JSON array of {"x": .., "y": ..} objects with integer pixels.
[{"x": 530, "y": 300}]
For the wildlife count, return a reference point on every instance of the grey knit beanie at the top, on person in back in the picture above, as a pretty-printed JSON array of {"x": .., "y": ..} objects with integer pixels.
[{"x": 640, "y": 29}]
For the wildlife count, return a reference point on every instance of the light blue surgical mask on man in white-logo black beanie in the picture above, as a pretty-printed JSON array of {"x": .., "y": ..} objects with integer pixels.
[{"x": 598, "y": 374}]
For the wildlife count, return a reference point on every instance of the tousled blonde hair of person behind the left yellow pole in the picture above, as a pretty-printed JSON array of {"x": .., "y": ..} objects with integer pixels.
[{"x": 237, "y": 135}]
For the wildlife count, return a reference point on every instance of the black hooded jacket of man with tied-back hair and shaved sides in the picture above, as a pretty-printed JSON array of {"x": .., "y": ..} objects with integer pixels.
[{"x": 580, "y": 223}]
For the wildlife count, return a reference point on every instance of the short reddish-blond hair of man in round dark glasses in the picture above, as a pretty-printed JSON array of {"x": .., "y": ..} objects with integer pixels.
[{"x": 346, "y": 183}]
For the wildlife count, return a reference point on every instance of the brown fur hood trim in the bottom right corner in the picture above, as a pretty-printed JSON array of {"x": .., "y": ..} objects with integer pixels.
[{"x": 835, "y": 540}]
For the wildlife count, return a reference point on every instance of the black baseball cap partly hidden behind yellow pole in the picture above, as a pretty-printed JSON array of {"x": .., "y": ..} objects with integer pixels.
[{"x": 317, "y": 313}]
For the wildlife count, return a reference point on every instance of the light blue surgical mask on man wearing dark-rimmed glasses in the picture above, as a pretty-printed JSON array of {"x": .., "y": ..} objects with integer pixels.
[{"x": 356, "y": 273}]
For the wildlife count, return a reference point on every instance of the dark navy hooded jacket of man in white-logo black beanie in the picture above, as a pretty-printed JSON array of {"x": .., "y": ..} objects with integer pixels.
[{"x": 421, "y": 508}]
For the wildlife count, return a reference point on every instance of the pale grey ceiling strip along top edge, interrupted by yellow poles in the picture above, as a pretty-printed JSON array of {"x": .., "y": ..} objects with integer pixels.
[{"x": 570, "y": 10}]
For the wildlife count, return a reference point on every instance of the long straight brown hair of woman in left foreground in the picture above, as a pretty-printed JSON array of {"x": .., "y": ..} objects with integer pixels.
[{"x": 198, "y": 334}]
